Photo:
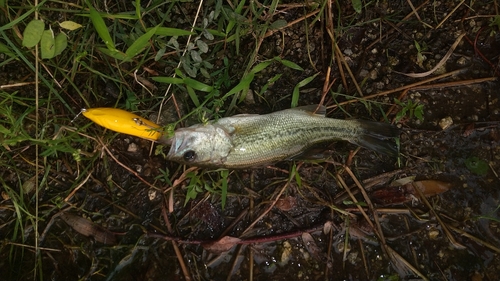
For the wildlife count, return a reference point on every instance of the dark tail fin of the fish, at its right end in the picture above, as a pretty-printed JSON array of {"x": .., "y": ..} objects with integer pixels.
[{"x": 378, "y": 137}]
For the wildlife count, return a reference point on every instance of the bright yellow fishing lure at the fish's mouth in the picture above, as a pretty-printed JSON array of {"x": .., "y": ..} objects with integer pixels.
[{"x": 122, "y": 121}]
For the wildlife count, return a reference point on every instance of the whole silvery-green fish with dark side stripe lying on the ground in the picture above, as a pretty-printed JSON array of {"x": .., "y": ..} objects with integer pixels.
[{"x": 252, "y": 140}]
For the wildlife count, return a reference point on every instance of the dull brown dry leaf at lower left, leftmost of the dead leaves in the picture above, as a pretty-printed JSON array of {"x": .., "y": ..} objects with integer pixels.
[{"x": 89, "y": 229}]
